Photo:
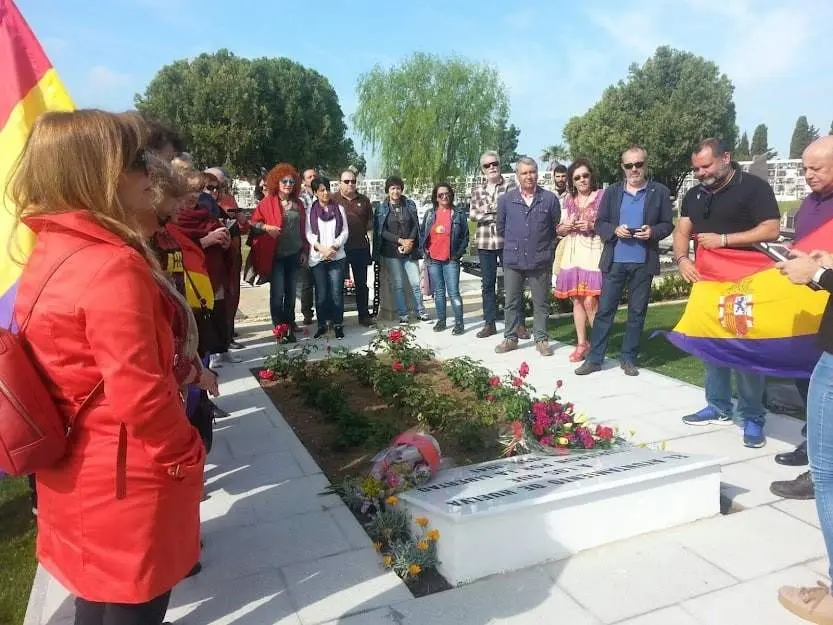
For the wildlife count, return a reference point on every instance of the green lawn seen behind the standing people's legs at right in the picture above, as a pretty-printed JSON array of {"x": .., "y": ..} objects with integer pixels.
[{"x": 656, "y": 353}]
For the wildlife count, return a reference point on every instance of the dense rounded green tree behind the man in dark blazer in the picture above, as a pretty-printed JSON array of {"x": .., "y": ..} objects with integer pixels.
[{"x": 667, "y": 105}]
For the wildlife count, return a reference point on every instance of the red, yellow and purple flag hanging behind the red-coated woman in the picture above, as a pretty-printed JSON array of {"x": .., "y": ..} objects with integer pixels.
[{"x": 30, "y": 86}]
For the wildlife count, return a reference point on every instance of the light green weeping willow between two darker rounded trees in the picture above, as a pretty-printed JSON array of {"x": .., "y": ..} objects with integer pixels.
[{"x": 430, "y": 118}]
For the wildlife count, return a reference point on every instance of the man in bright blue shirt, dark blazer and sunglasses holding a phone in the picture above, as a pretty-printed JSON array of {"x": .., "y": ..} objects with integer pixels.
[{"x": 634, "y": 216}]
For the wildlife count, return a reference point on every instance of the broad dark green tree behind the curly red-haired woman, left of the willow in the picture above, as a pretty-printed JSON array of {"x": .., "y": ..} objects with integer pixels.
[{"x": 245, "y": 114}]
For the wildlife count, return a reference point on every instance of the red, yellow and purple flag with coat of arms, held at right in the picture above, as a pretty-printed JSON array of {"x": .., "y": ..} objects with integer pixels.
[{"x": 744, "y": 314}]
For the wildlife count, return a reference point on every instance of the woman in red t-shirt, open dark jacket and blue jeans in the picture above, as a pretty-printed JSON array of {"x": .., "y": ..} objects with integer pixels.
[{"x": 445, "y": 238}]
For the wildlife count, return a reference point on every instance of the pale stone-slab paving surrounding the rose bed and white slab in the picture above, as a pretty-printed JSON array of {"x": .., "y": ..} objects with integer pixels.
[{"x": 277, "y": 552}]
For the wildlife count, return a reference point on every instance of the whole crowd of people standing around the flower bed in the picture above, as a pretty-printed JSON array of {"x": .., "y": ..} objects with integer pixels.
[{"x": 136, "y": 276}]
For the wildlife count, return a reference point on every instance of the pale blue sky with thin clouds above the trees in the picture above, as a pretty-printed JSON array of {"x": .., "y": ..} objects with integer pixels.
[{"x": 555, "y": 58}]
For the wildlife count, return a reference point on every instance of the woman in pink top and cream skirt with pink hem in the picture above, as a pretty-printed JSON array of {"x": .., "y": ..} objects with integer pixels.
[{"x": 578, "y": 254}]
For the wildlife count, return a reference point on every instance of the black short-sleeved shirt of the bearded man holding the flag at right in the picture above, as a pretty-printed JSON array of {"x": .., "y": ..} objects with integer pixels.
[{"x": 740, "y": 206}]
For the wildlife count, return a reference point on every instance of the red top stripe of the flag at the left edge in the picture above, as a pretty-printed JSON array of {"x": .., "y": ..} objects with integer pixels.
[{"x": 22, "y": 59}]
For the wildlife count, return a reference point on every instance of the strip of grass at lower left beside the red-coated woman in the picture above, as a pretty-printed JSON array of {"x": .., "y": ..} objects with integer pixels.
[{"x": 17, "y": 549}]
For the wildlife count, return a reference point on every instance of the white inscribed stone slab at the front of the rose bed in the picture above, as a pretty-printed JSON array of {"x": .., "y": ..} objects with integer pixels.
[{"x": 508, "y": 514}]
